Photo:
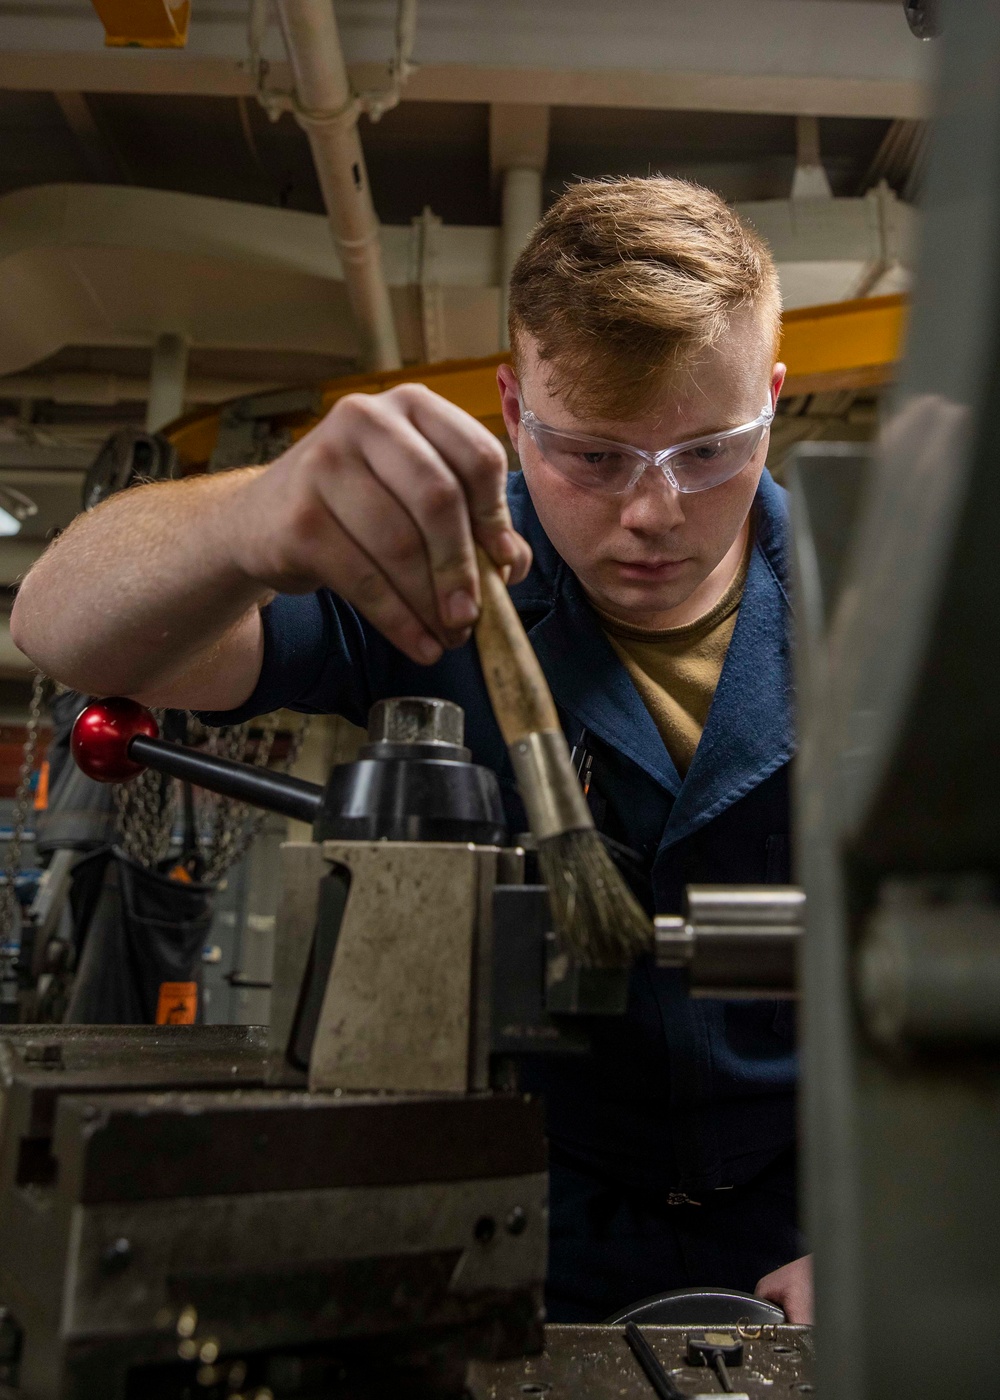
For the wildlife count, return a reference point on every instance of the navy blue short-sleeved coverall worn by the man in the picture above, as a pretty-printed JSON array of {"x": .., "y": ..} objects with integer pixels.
[{"x": 673, "y": 1144}]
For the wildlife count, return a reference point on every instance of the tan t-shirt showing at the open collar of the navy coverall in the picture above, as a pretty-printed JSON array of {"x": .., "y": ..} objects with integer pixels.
[{"x": 677, "y": 670}]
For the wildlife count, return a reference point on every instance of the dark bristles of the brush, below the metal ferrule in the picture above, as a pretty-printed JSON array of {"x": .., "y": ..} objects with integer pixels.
[{"x": 596, "y": 915}]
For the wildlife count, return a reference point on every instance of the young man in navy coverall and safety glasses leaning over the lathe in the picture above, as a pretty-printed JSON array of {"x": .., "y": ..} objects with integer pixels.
[{"x": 648, "y": 558}]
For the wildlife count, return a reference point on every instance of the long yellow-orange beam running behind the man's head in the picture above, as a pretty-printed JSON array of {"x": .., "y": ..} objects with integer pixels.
[{"x": 847, "y": 345}]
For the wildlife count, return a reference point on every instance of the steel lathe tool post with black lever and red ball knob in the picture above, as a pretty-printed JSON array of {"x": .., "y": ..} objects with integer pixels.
[{"x": 411, "y": 815}]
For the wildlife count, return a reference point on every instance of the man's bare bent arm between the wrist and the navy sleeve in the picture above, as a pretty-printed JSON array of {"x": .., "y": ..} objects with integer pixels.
[{"x": 135, "y": 591}]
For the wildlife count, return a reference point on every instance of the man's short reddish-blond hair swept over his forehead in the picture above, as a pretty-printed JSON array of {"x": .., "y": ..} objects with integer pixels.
[{"x": 627, "y": 279}]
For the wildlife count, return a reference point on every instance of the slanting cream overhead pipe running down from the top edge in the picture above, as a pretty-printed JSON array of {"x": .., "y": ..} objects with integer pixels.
[{"x": 328, "y": 113}]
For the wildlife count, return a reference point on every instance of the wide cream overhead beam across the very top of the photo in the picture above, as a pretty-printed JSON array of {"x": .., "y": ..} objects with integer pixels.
[{"x": 820, "y": 57}]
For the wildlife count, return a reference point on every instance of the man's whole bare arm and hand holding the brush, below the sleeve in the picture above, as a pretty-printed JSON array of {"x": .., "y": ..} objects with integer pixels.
[{"x": 156, "y": 594}]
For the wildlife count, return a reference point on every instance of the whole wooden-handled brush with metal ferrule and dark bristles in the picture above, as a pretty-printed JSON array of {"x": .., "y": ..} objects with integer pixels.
[{"x": 596, "y": 915}]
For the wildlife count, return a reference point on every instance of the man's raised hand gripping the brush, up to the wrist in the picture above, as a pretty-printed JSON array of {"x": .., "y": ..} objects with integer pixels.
[{"x": 383, "y": 502}]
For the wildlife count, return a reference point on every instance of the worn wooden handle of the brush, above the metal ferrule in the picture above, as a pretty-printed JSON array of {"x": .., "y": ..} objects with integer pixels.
[{"x": 518, "y": 688}]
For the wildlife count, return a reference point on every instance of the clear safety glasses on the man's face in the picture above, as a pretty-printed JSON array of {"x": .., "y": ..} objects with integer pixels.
[{"x": 613, "y": 468}]
